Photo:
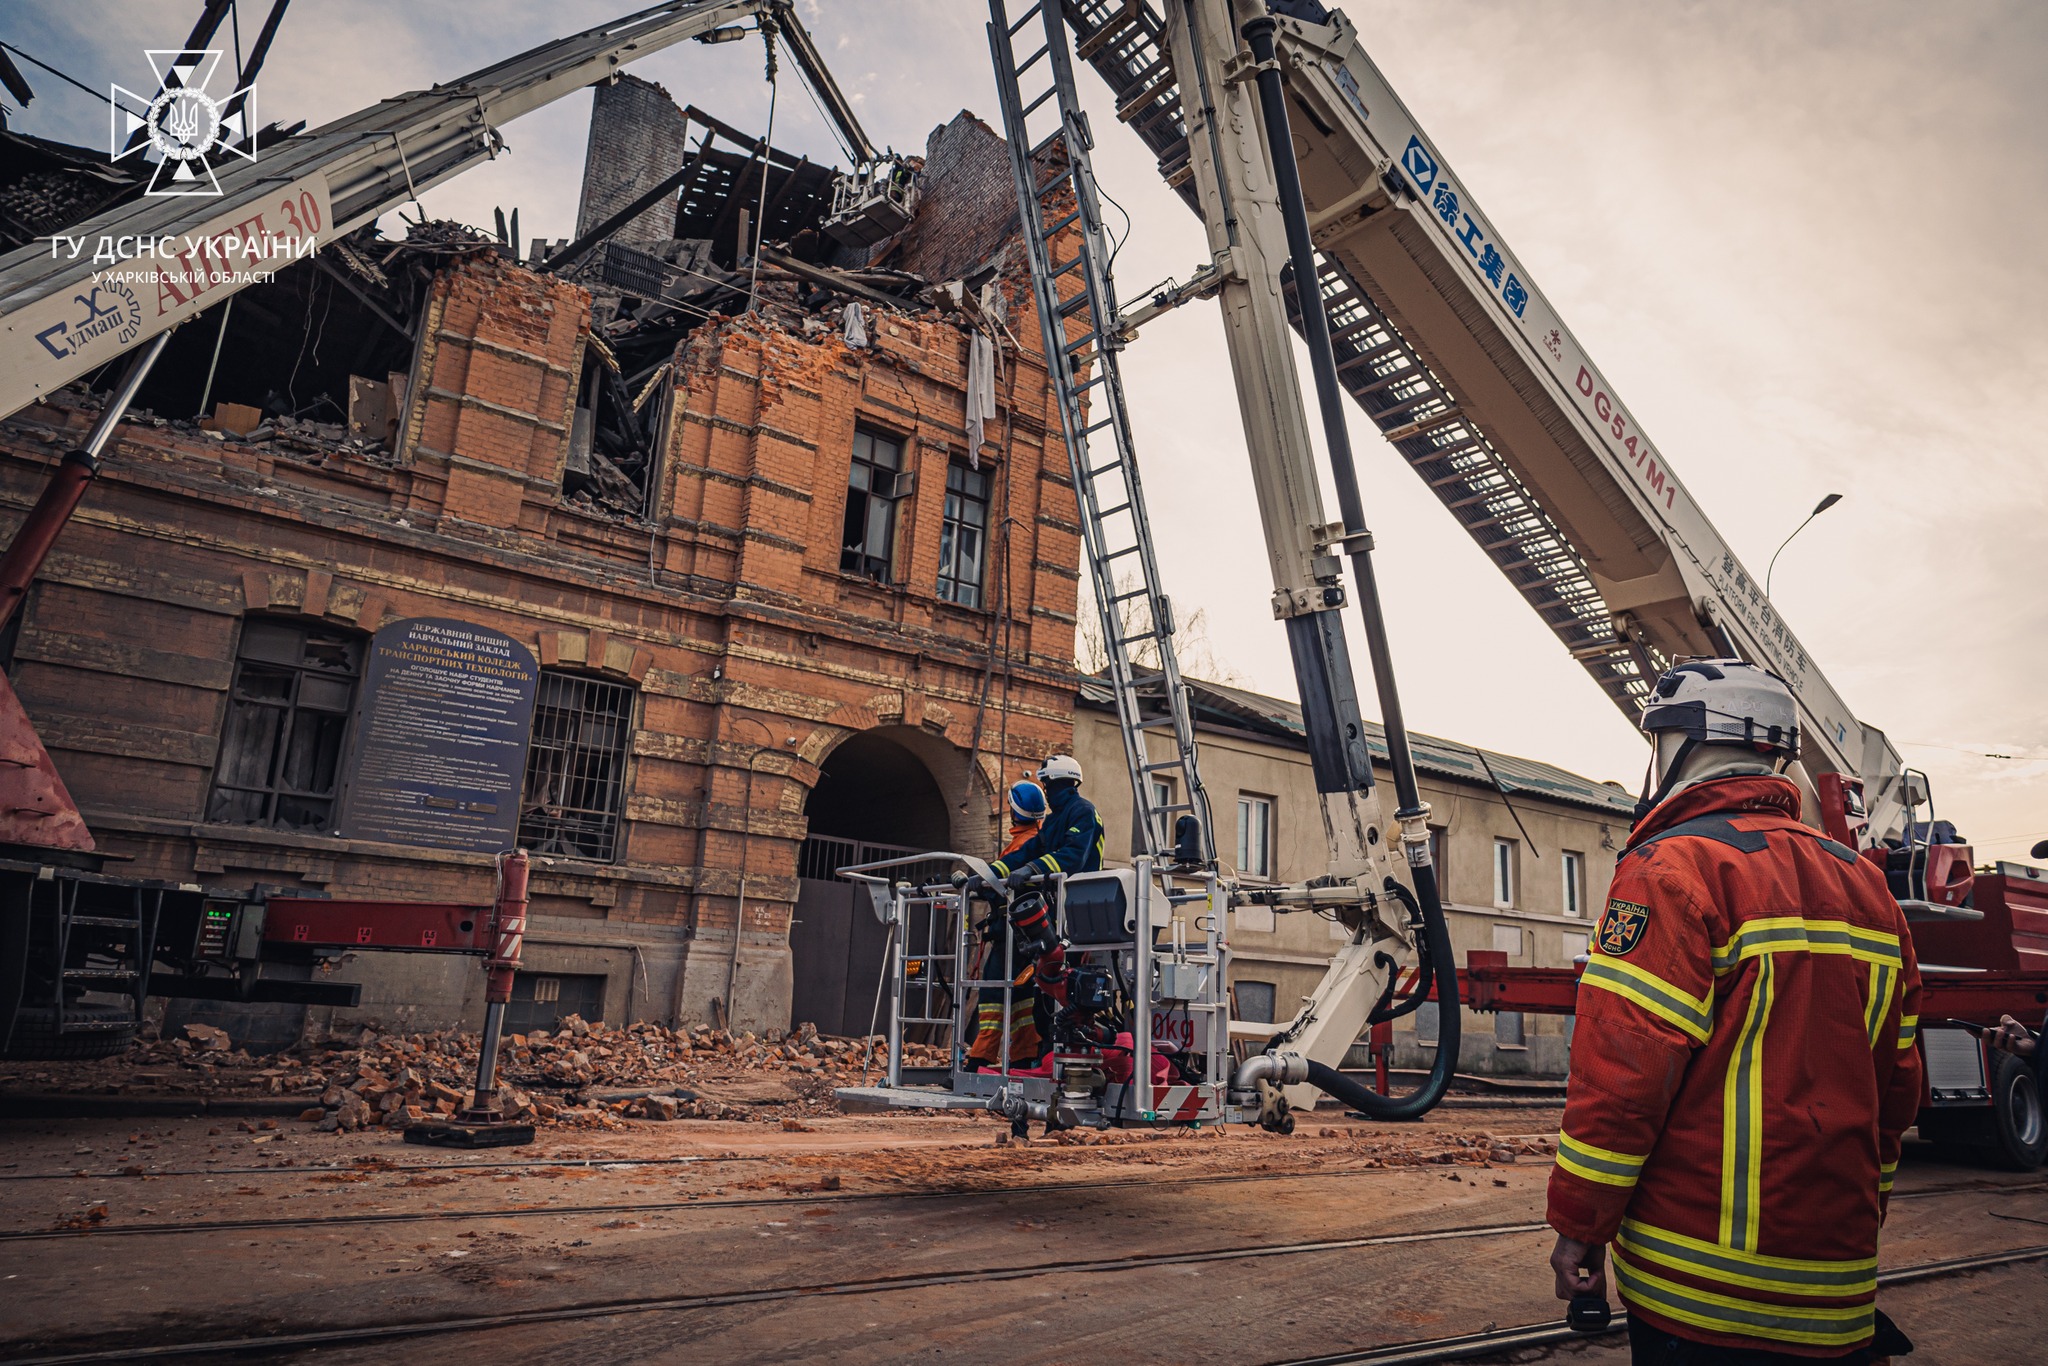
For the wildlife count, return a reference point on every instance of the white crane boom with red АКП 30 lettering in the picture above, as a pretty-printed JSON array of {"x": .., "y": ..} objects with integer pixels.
[{"x": 60, "y": 318}]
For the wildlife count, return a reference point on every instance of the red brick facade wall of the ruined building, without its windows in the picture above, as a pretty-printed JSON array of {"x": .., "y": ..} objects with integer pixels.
[{"x": 726, "y": 609}]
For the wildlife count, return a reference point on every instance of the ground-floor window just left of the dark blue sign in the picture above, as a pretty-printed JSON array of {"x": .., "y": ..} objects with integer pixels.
[{"x": 288, "y": 716}]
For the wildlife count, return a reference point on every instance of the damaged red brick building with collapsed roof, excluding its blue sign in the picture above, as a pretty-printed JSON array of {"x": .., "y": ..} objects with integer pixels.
[{"x": 794, "y": 593}]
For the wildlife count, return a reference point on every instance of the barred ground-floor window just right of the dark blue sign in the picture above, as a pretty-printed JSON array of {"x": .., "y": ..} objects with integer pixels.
[{"x": 577, "y": 767}]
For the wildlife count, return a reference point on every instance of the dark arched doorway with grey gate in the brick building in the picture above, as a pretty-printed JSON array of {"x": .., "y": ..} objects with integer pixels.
[{"x": 876, "y": 798}]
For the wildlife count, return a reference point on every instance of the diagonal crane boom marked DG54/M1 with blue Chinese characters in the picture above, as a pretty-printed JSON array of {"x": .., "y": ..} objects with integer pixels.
[{"x": 1467, "y": 370}]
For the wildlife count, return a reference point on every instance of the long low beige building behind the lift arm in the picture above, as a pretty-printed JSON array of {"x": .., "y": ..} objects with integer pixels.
[{"x": 1525, "y": 853}]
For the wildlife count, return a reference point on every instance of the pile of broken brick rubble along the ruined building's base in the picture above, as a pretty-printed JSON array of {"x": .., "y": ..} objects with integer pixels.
[{"x": 579, "y": 1074}]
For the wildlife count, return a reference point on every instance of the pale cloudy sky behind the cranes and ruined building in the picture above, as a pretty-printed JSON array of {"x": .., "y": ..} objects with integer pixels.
[{"x": 1801, "y": 239}]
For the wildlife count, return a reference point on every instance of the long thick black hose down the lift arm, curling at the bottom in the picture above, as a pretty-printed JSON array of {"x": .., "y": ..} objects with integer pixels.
[{"x": 1359, "y": 546}]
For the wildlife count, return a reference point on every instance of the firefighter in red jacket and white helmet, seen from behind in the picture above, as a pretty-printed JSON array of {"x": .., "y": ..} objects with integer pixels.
[{"x": 1744, "y": 1062}]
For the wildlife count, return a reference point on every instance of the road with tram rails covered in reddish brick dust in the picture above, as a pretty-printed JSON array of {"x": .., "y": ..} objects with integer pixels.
[{"x": 1132, "y": 1246}]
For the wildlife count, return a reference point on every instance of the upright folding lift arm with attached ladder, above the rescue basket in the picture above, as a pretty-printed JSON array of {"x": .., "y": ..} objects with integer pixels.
[{"x": 1258, "y": 228}]
